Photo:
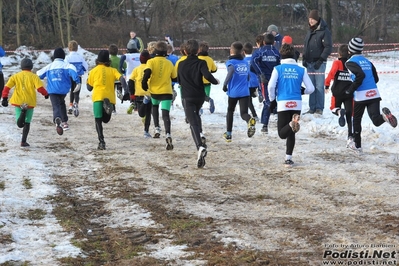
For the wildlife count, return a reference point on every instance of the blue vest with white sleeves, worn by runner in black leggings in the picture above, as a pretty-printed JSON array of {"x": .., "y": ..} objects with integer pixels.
[{"x": 287, "y": 79}]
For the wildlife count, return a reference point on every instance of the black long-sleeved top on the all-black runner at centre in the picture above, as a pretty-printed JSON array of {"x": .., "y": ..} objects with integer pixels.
[{"x": 189, "y": 75}]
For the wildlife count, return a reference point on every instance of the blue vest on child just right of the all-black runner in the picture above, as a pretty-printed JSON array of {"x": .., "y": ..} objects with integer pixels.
[{"x": 238, "y": 85}]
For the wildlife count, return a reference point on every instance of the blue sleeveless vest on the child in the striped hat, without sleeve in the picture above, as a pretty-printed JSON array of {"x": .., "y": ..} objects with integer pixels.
[{"x": 368, "y": 89}]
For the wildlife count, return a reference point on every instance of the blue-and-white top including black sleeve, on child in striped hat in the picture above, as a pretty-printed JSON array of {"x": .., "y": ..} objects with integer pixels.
[{"x": 365, "y": 78}]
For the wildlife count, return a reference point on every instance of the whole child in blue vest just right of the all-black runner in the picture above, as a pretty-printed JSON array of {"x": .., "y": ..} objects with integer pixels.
[{"x": 236, "y": 86}]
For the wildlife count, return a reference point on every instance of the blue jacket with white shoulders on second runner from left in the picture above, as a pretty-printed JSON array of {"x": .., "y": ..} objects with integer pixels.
[{"x": 59, "y": 74}]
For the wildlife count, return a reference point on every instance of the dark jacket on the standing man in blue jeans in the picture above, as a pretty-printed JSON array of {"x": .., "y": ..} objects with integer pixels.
[{"x": 318, "y": 43}]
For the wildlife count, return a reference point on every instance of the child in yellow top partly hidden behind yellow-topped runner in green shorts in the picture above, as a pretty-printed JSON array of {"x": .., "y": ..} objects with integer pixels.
[{"x": 142, "y": 97}]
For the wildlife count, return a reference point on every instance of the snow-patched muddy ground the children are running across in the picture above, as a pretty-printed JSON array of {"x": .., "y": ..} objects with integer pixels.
[{"x": 244, "y": 195}]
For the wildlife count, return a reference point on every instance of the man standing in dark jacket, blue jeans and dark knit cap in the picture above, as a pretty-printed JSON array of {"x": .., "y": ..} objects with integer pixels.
[{"x": 317, "y": 48}]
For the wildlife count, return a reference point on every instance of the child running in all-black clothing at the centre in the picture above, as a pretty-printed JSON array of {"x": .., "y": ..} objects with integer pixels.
[{"x": 190, "y": 76}]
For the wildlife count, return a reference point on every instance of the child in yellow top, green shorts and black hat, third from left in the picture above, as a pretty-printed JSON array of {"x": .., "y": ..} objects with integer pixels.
[{"x": 101, "y": 81}]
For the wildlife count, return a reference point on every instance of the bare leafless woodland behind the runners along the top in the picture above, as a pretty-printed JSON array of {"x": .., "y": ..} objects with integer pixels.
[{"x": 45, "y": 24}]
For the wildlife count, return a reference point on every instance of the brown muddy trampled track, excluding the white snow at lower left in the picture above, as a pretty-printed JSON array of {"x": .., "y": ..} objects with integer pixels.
[{"x": 243, "y": 208}]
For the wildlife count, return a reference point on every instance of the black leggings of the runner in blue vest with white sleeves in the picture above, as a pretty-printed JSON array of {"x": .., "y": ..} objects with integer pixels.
[{"x": 284, "y": 129}]
